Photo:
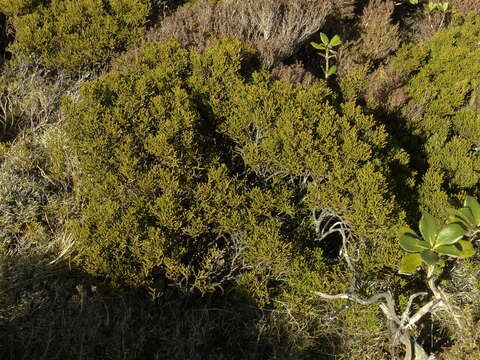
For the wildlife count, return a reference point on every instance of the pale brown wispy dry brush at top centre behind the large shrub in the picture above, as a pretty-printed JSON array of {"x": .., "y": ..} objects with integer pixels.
[{"x": 277, "y": 28}]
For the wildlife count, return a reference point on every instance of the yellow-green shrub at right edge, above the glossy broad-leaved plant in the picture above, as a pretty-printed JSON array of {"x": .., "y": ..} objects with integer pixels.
[{"x": 443, "y": 111}]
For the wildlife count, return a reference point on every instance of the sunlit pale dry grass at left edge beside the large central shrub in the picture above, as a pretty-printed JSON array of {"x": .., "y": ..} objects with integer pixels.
[{"x": 36, "y": 198}]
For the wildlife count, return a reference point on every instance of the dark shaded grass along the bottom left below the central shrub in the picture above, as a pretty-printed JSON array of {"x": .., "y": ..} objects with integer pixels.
[{"x": 66, "y": 317}]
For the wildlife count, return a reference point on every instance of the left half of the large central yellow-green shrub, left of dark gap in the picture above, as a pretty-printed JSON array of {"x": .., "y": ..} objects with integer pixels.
[{"x": 160, "y": 201}]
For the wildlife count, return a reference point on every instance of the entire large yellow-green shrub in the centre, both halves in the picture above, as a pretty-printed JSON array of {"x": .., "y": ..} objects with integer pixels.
[{"x": 196, "y": 171}]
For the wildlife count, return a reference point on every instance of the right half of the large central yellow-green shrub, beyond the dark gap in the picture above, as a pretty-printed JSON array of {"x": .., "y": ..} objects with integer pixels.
[{"x": 334, "y": 156}]
